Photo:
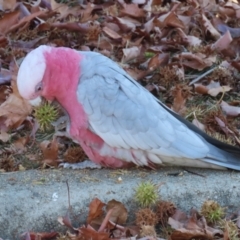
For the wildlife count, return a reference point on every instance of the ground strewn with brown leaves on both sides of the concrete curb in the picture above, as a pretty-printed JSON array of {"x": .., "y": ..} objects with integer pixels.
[{"x": 185, "y": 52}]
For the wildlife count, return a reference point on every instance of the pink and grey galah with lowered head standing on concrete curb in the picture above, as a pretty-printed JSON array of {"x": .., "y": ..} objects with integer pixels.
[{"x": 117, "y": 121}]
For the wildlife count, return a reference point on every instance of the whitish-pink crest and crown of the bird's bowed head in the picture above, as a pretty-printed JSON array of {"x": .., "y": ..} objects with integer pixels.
[{"x": 31, "y": 72}]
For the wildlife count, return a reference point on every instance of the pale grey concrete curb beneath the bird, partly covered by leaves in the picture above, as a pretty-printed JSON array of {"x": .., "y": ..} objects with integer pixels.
[{"x": 32, "y": 200}]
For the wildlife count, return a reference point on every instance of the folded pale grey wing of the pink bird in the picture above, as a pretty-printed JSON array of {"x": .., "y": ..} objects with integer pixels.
[{"x": 125, "y": 115}]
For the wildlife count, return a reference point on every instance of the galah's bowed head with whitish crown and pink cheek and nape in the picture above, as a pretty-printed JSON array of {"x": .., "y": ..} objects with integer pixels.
[{"x": 49, "y": 72}]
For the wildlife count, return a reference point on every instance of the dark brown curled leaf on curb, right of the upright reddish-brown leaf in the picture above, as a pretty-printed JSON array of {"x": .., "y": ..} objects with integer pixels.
[{"x": 119, "y": 214}]
